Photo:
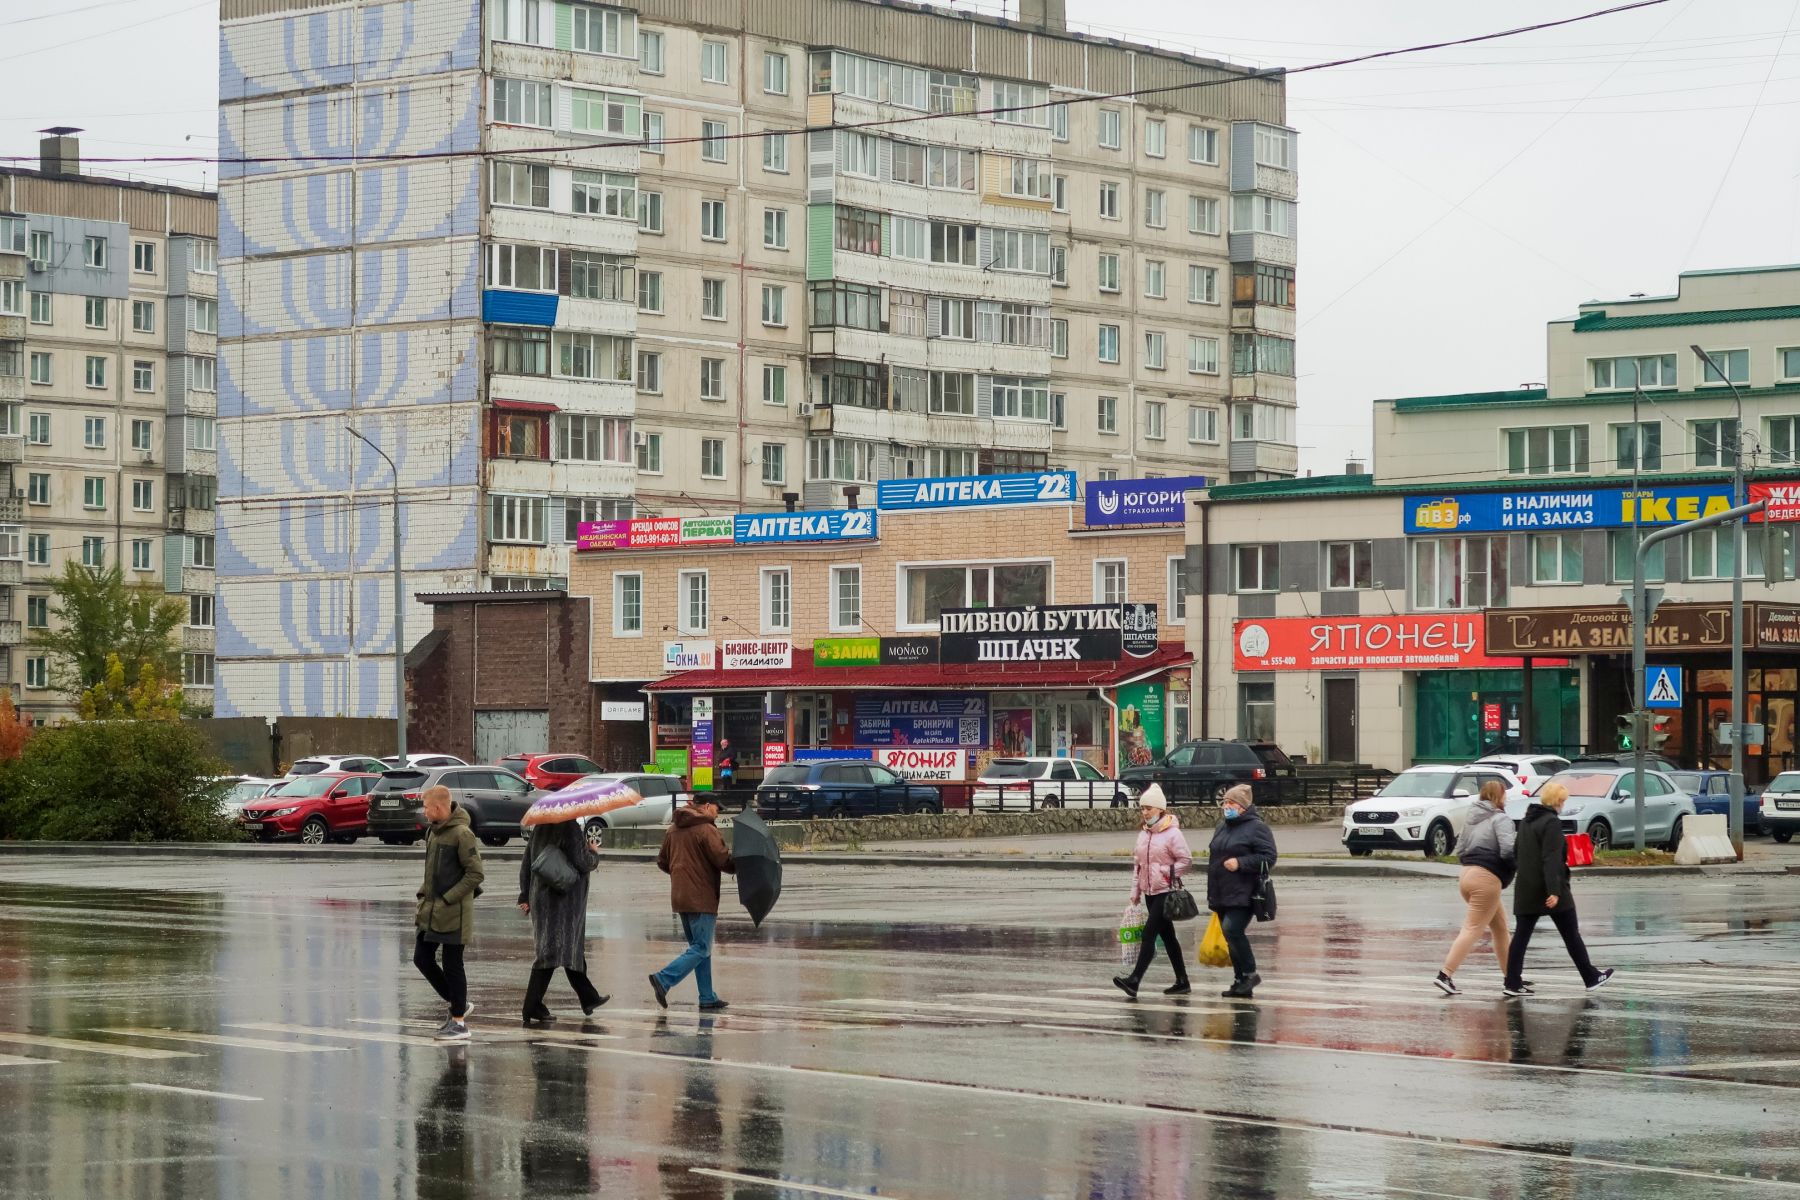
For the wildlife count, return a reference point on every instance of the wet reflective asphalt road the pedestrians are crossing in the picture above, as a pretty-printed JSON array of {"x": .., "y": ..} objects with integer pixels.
[{"x": 217, "y": 1028}]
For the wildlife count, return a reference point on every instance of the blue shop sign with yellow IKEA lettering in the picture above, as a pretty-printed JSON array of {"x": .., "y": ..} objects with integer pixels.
[{"x": 1597, "y": 508}]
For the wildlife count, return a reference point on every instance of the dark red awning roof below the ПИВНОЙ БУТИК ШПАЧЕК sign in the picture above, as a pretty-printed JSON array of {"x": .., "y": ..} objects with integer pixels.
[{"x": 931, "y": 676}]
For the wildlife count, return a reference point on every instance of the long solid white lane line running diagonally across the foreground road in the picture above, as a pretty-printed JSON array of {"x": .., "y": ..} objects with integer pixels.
[{"x": 1164, "y": 1113}]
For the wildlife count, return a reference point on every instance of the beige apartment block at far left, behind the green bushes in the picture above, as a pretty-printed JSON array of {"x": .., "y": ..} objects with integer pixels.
[{"x": 109, "y": 314}]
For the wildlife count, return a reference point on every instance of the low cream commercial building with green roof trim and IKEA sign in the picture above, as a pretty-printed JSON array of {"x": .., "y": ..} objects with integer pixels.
[{"x": 1466, "y": 595}]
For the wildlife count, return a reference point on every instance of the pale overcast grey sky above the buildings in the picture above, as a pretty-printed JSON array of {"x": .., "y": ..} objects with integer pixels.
[{"x": 1452, "y": 202}]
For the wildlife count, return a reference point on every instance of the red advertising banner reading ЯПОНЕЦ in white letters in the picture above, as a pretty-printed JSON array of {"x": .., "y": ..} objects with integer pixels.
[{"x": 1394, "y": 643}]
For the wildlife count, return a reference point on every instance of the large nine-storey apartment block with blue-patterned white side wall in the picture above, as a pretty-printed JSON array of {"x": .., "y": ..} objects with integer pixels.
[{"x": 571, "y": 262}]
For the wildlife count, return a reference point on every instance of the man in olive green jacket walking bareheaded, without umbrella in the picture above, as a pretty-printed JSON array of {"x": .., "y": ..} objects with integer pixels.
[{"x": 447, "y": 906}]
